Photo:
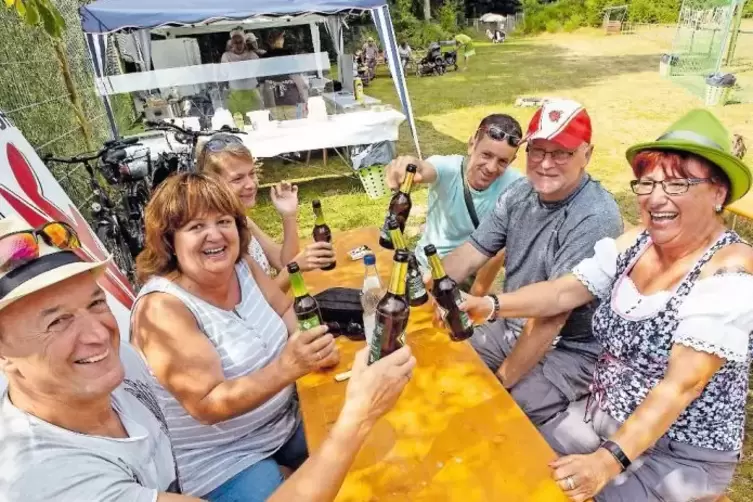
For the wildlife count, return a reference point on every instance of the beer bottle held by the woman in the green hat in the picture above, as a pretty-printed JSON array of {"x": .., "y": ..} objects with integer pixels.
[{"x": 448, "y": 297}]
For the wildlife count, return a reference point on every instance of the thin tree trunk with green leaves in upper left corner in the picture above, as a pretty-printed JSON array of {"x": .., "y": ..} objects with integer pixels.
[{"x": 45, "y": 14}]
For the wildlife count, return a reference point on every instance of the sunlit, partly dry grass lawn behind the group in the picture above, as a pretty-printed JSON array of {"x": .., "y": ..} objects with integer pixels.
[{"x": 615, "y": 77}]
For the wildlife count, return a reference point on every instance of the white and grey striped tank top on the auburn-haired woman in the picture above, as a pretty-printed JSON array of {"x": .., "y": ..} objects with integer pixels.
[{"x": 247, "y": 339}]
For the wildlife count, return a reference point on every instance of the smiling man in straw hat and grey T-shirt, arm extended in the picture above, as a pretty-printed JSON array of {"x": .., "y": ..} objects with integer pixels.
[{"x": 80, "y": 421}]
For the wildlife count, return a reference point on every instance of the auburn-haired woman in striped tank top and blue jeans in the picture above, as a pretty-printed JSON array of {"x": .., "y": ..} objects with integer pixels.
[{"x": 213, "y": 328}]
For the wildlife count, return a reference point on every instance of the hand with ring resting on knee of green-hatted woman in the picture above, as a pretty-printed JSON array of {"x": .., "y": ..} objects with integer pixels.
[{"x": 581, "y": 477}]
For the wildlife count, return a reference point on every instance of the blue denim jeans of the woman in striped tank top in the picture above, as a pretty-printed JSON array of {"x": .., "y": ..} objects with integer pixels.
[{"x": 258, "y": 482}]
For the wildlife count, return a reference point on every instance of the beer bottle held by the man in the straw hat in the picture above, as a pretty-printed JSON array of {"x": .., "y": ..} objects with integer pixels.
[{"x": 392, "y": 313}]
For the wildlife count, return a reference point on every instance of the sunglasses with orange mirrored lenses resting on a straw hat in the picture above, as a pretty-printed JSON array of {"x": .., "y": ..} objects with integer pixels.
[{"x": 19, "y": 248}]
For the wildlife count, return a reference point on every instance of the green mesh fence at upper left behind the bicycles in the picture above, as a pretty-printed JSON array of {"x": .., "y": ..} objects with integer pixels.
[{"x": 34, "y": 97}]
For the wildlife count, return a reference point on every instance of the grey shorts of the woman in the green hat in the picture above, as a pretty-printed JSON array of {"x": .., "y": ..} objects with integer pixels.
[{"x": 669, "y": 471}]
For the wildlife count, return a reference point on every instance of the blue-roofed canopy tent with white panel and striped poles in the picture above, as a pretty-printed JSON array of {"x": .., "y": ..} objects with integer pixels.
[{"x": 172, "y": 18}]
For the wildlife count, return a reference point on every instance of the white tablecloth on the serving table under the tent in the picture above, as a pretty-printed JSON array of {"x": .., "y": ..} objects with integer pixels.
[{"x": 357, "y": 128}]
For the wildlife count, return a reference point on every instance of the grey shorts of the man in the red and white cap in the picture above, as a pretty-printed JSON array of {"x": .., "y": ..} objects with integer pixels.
[{"x": 561, "y": 377}]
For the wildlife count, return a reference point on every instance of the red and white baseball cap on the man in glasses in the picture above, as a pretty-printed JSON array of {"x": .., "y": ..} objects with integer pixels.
[{"x": 563, "y": 121}]
